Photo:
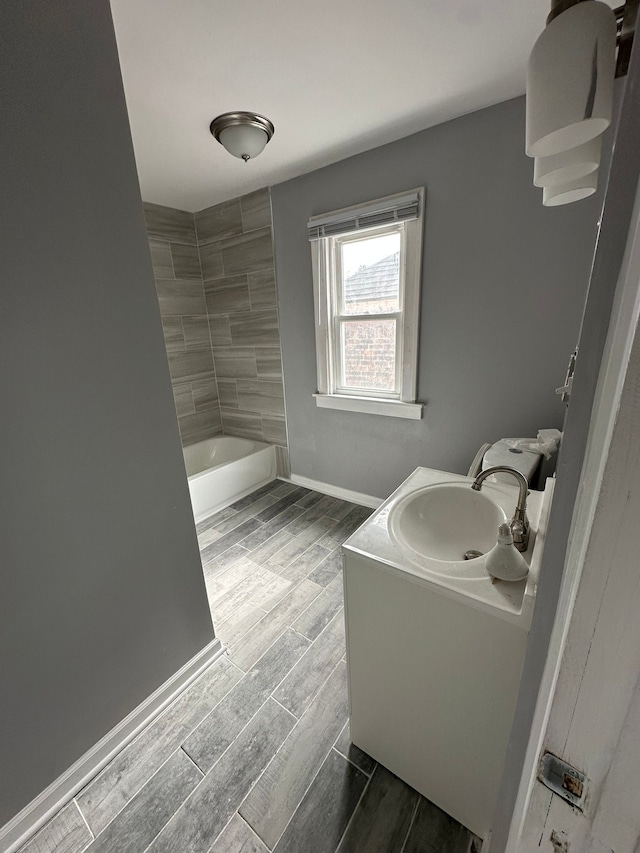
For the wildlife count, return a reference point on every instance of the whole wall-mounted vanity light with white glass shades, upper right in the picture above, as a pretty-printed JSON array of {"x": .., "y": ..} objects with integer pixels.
[{"x": 570, "y": 93}]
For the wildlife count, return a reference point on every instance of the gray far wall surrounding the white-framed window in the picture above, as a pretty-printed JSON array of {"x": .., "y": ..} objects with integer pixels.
[{"x": 504, "y": 283}]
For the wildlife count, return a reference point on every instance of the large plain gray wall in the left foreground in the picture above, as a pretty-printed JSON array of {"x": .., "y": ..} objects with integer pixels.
[{"x": 101, "y": 591}]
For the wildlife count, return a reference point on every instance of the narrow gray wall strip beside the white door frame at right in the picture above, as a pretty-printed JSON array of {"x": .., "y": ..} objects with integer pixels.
[{"x": 616, "y": 217}]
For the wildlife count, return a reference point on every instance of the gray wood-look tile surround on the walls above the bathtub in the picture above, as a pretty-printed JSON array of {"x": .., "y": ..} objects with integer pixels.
[{"x": 215, "y": 281}]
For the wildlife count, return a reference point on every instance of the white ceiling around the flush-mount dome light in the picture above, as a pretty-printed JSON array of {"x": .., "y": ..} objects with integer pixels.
[{"x": 336, "y": 78}]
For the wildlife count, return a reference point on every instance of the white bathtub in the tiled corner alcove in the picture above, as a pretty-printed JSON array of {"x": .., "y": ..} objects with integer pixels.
[{"x": 222, "y": 470}]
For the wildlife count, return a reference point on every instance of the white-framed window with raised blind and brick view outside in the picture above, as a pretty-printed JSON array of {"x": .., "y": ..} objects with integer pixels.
[{"x": 366, "y": 273}]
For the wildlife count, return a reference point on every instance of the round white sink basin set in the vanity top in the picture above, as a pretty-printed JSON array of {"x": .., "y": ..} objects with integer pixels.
[{"x": 443, "y": 520}]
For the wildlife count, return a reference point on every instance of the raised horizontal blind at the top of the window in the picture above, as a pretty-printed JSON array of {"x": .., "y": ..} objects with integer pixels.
[{"x": 385, "y": 211}]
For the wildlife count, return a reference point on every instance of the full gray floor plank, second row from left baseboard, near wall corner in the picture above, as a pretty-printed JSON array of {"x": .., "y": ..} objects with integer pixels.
[{"x": 214, "y": 734}]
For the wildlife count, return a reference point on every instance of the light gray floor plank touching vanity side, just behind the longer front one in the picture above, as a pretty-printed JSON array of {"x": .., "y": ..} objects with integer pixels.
[{"x": 306, "y": 678}]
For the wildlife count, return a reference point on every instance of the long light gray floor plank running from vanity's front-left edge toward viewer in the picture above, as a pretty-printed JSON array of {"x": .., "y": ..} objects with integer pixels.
[{"x": 280, "y": 789}]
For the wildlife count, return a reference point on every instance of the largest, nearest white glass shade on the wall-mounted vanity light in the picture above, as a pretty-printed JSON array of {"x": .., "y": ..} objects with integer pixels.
[{"x": 570, "y": 79}]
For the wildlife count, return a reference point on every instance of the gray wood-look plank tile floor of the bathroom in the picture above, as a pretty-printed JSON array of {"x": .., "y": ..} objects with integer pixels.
[{"x": 255, "y": 756}]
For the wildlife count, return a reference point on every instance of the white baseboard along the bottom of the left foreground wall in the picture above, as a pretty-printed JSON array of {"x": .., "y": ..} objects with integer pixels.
[{"x": 33, "y": 816}]
